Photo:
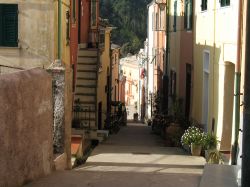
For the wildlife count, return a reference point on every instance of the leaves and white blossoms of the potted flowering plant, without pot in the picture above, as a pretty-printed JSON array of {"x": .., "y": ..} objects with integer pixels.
[{"x": 193, "y": 135}]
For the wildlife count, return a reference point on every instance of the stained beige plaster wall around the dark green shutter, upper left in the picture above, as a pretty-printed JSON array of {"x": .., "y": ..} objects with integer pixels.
[{"x": 35, "y": 35}]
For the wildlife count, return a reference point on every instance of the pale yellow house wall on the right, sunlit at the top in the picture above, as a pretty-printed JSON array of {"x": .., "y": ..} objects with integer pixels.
[{"x": 215, "y": 31}]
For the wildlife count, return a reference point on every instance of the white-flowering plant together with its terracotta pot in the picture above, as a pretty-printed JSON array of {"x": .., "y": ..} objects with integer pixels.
[{"x": 194, "y": 138}]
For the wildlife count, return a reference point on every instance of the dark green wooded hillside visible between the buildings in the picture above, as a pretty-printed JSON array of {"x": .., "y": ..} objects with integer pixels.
[{"x": 130, "y": 18}]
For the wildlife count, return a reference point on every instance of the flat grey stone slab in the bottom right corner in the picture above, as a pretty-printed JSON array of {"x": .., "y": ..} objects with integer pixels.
[{"x": 217, "y": 175}]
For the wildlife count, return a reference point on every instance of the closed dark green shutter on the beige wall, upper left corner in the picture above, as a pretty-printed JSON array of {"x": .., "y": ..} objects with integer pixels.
[{"x": 9, "y": 25}]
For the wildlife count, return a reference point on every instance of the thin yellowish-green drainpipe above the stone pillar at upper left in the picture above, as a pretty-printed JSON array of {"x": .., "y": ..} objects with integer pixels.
[{"x": 59, "y": 47}]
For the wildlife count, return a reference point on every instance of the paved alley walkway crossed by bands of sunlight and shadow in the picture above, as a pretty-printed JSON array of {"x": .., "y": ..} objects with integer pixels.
[{"x": 132, "y": 158}]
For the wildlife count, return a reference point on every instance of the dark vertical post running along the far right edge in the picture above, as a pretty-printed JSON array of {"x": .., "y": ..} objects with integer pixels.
[{"x": 246, "y": 112}]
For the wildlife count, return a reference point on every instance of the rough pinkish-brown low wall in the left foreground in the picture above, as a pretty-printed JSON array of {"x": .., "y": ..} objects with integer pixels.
[{"x": 25, "y": 127}]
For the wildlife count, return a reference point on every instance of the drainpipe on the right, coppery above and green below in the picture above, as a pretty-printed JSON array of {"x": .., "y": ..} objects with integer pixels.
[{"x": 237, "y": 89}]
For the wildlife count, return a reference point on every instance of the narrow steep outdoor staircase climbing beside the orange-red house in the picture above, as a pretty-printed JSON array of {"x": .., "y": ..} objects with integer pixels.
[{"x": 86, "y": 87}]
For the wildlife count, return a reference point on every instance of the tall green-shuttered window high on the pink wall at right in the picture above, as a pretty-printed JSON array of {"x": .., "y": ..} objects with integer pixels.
[{"x": 188, "y": 15}]
